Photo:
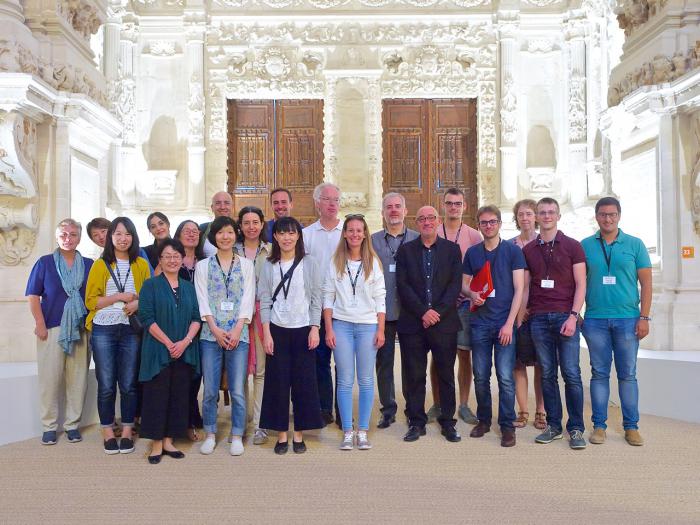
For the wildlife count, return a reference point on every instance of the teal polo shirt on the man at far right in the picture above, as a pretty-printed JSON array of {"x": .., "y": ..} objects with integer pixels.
[{"x": 627, "y": 254}]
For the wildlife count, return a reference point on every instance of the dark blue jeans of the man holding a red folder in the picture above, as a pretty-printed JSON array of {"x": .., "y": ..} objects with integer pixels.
[{"x": 484, "y": 342}]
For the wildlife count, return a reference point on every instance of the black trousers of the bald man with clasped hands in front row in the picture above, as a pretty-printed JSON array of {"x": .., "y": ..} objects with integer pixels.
[{"x": 414, "y": 362}]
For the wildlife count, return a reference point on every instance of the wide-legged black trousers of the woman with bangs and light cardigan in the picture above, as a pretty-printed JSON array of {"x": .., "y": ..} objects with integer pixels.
[{"x": 291, "y": 367}]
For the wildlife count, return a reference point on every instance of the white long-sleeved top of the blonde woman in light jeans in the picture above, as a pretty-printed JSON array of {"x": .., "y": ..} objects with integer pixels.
[{"x": 368, "y": 300}]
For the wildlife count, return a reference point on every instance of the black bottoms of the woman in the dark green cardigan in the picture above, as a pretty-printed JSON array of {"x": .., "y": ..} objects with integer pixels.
[{"x": 166, "y": 402}]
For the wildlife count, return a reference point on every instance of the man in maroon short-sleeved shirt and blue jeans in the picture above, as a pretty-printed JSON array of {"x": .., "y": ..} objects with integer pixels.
[{"x": 556, "y": 279}]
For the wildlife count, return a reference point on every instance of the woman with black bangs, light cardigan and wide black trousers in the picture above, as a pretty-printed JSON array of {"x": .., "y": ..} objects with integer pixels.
[{"x": 290, "y": 310}]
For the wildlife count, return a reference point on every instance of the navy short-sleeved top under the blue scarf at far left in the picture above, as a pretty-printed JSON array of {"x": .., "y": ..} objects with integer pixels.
[{"x": 45, "y": 282}]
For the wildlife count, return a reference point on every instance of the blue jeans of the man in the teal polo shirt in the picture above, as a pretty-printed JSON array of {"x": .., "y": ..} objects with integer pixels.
[{"x": 607, "y": 338}]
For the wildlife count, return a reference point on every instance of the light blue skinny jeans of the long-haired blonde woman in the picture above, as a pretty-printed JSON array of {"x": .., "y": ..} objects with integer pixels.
[{"x": 354, "y": 345}]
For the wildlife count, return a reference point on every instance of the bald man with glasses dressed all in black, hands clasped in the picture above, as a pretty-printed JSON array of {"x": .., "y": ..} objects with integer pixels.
[{"x": 428, "y": 279}]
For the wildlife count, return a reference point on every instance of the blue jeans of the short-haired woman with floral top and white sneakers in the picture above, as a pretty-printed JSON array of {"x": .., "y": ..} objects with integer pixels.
[{"x": 213, "y": 357}]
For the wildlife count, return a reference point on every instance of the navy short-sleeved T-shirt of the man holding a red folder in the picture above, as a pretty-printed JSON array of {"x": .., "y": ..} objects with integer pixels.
[{"x": 504, "y": 260}]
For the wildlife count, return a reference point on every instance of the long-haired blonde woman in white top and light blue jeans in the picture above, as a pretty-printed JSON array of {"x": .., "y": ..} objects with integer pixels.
[{"x": 353, "y": 312}]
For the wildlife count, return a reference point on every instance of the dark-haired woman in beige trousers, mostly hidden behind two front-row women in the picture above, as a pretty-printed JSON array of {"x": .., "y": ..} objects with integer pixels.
[{"x": 251, "y": 223}]
